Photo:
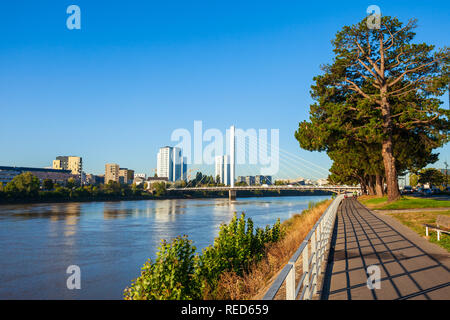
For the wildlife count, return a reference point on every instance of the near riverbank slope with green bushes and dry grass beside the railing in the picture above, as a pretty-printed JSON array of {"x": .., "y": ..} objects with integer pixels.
[{"x": 239, "y": 265}]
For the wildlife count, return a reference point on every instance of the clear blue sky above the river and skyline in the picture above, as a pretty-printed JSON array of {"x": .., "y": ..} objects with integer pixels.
[{"x": 137, "y": 70}]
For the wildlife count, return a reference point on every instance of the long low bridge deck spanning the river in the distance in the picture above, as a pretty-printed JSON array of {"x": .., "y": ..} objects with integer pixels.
[{"x": 232, "y": 191}]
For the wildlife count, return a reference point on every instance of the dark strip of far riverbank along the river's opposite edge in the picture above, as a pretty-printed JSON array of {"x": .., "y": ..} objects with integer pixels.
[{"x": 42, "y": 198}]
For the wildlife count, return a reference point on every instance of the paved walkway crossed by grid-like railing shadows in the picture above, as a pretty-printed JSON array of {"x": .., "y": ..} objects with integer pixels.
[{"x": 411, "y": 267}]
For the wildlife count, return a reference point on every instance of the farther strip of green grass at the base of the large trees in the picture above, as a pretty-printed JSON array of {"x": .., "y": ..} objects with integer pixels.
[{"x": 405, "y": 202}]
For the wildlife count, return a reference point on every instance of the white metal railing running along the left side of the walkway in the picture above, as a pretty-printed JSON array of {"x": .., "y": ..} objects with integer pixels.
[{"x": 312, "y": 250}]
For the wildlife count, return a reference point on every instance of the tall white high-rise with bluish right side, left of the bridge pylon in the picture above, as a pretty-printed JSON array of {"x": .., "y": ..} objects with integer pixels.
[{"x": 171, "y": 164}]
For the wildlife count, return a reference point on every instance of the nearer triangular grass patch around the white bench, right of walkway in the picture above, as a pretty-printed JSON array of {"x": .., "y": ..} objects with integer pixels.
[{"x": 415, "y": 221}]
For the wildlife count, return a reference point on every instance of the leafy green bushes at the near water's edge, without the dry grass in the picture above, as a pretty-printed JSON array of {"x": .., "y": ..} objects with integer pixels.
[{"x": 180, "y": 273}]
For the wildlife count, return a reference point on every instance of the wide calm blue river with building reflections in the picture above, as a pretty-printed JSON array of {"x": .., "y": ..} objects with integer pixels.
[{"x": 110, "y": 241}]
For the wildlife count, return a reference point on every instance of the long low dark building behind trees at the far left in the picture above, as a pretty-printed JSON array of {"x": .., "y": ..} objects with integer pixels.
[{"x": 56, "y": 175}]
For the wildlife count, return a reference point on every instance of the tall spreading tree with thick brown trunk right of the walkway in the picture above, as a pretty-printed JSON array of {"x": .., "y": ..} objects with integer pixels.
[{"x": 377, "y": 110}]
